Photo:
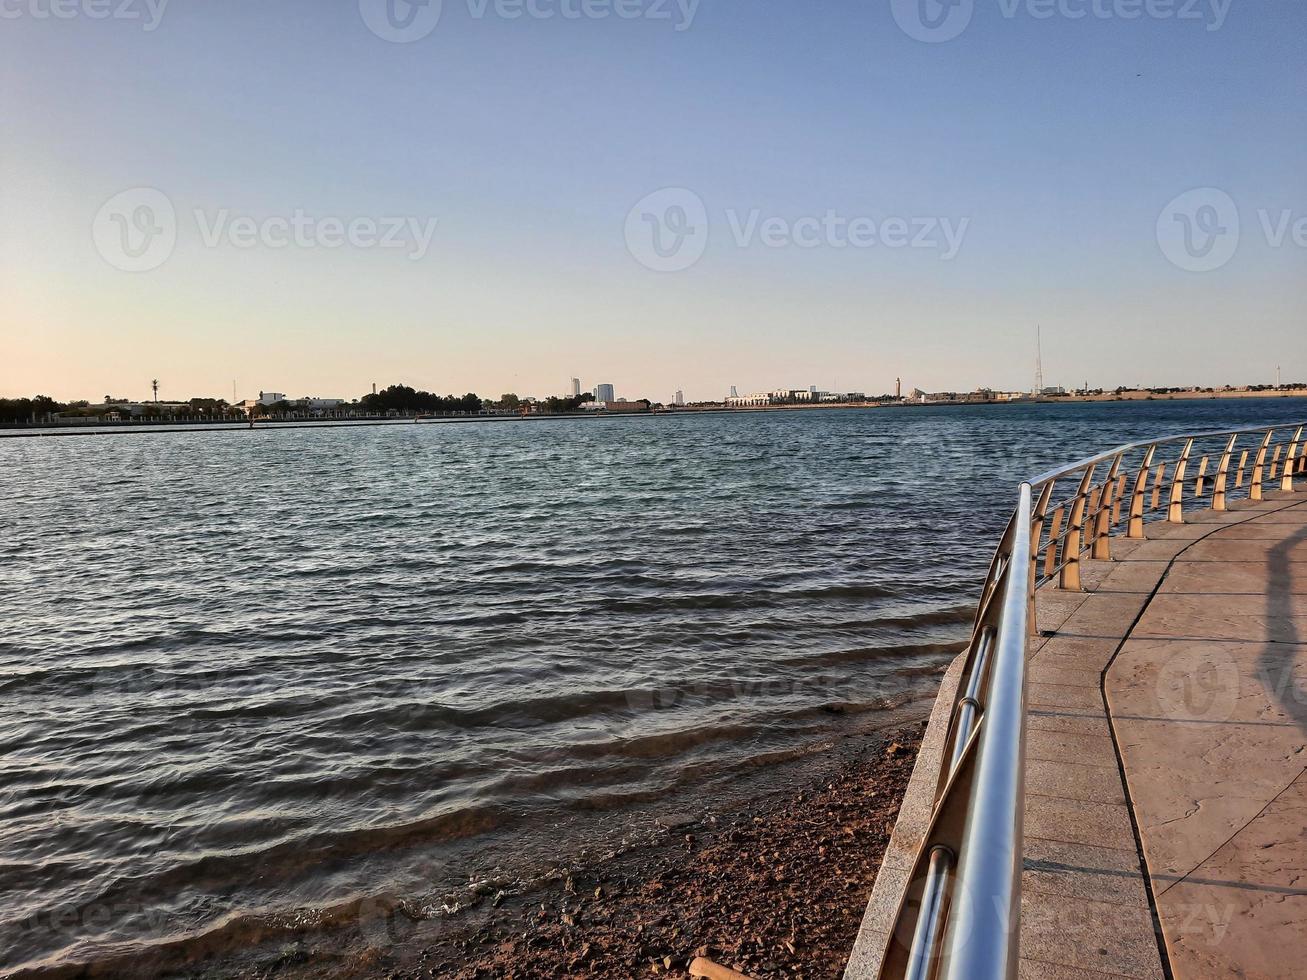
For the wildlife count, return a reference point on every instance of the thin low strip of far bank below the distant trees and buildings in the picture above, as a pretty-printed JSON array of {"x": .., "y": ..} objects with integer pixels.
[{"x": 156, "y": 427}]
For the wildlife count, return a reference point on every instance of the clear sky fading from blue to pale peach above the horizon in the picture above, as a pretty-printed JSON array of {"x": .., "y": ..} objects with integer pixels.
[{"x": 500, "y": 195}]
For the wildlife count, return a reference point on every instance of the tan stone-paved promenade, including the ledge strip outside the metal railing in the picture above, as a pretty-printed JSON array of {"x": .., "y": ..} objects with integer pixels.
[{"x": 1166, "y": 817}]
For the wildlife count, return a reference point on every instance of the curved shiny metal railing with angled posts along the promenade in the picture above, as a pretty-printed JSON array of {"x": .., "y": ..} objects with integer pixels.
[{"x": 959, "y": 918}]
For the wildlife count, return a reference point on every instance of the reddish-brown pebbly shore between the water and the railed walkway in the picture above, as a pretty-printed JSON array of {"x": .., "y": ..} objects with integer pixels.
[{"x": 774, "y": 892}]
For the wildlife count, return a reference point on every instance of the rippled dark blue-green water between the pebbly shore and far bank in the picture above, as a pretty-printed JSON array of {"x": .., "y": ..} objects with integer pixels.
[{"x": 248, "y": 675}]
